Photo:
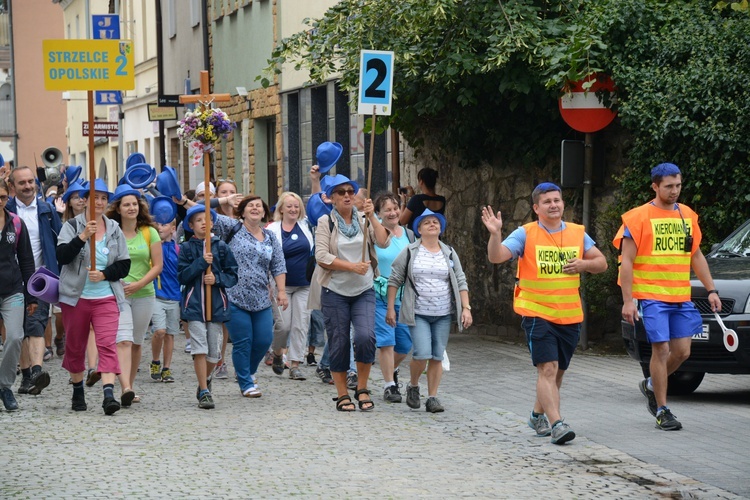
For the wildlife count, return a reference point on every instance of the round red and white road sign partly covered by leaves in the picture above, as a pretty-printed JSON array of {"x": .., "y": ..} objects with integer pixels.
[{"x": 582, "y": 110}]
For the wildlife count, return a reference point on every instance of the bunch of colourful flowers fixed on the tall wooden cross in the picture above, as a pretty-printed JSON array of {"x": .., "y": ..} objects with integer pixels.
[{"x": 202, "y": 128}]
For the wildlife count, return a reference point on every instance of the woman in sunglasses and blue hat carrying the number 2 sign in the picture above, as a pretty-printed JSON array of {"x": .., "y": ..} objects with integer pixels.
[{"x": 342, "y": 287}]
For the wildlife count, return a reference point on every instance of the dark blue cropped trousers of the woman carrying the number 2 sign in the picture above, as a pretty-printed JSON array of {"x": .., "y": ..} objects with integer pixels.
[{"x": 341, "y": 313}]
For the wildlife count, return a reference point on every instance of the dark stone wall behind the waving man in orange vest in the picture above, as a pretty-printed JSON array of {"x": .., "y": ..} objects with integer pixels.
[{"x": 507, "y": 188}]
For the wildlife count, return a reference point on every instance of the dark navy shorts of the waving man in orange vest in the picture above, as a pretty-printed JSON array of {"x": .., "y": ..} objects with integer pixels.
[{"x": 549, "y": 342}]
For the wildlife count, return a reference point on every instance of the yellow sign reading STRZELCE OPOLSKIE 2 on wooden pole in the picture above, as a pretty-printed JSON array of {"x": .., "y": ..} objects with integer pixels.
[{"x": 88, "y": 64}]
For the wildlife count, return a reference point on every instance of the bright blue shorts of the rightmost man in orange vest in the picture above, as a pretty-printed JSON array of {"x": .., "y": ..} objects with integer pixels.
[{"x": 664, "y": 321}]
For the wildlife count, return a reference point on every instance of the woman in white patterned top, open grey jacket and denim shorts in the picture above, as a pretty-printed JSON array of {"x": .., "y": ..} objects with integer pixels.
[{"x": 434, "y": 290}]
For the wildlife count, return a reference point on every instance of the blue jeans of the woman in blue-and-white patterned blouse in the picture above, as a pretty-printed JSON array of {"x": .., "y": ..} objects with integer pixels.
[{"x": 252, "y": 334}]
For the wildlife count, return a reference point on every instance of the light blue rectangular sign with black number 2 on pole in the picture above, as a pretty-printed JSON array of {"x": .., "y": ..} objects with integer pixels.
[{"x": 375, "y": 82}]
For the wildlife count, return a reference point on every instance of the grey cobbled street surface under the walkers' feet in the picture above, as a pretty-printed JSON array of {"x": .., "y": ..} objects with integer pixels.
[{"x": 292, "y": 442}]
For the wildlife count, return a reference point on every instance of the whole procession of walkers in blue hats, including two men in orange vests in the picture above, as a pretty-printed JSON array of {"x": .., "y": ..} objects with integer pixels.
[{"x": 377, "y": 277}]
